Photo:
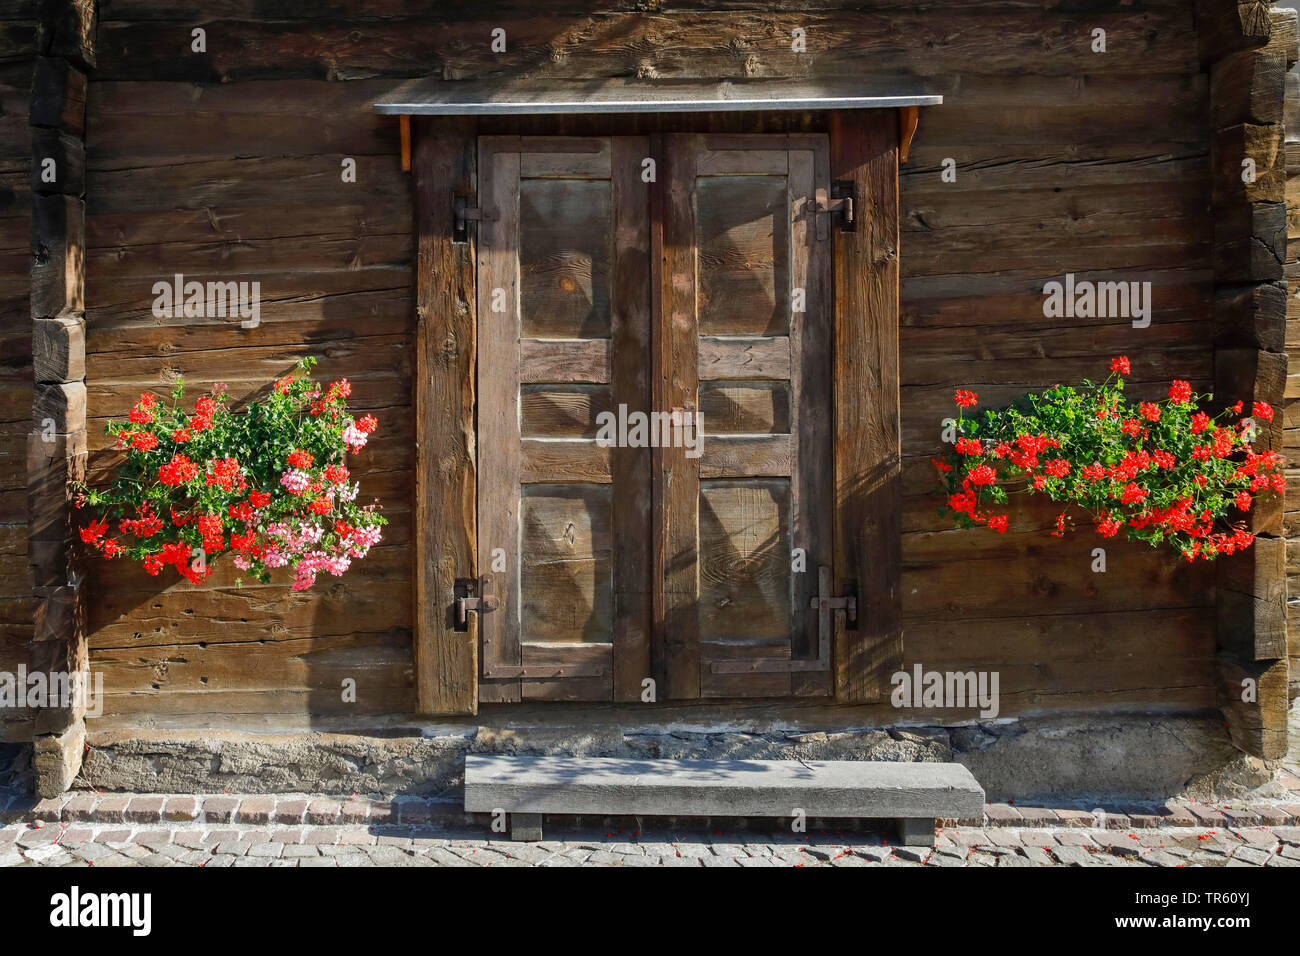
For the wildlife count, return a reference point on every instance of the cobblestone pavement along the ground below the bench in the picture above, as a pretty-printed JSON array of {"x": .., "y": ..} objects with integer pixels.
[{"x": 72, "y": 845}]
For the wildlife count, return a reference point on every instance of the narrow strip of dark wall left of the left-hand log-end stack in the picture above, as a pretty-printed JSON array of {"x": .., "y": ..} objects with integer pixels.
[{"x": 18, "y": 60}]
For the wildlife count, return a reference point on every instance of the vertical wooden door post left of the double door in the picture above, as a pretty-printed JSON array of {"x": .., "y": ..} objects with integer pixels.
[{"x": 447, "y": 660}]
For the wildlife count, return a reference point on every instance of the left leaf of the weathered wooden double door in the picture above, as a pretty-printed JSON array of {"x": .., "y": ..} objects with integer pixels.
[{"x": 564, "y": 318}]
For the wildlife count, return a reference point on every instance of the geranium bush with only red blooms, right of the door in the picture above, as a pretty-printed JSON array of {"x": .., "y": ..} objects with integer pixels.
[{"x": 1163, "y": 473}]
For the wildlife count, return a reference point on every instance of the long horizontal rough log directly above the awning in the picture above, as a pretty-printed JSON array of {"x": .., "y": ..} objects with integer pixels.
[{"x": 733, "y": 44}]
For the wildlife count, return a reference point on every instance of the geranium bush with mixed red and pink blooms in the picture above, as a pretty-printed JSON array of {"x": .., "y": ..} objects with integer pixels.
[{"x": 267, "y": 485}]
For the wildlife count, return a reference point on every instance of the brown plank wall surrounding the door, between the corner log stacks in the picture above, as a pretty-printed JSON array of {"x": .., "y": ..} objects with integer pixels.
[{"x": 227, "y": 166}]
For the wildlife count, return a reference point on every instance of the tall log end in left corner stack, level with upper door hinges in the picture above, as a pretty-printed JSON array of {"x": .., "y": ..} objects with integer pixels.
[{"x": 58, "y": 270}]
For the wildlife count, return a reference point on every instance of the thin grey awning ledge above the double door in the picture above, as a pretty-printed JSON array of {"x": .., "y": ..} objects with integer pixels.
[{"x": 627, "y": 96}]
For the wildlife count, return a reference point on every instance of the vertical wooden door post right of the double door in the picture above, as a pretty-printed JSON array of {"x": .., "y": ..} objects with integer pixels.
[{"x": 868, "y": 452}]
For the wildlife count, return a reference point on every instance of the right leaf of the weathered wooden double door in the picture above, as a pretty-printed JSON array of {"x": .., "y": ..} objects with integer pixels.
[{"x": 747, "y": 327}]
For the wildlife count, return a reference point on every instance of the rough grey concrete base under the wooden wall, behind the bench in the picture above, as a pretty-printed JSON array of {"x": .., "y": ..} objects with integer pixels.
[{"x": 1126, "y": 758}]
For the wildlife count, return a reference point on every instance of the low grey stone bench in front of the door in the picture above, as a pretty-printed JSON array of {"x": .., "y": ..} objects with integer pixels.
[{"x": 912, "y": 794}]
